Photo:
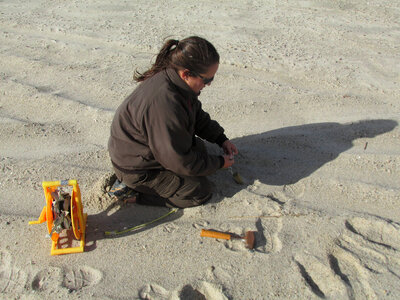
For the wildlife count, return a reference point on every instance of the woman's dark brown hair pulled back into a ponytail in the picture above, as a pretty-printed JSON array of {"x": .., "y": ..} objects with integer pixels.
[{"x": 193, "y": 53}]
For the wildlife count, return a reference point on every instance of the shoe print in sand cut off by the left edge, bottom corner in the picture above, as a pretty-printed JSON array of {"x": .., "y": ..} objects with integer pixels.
[{"x": 12, "y": 279}]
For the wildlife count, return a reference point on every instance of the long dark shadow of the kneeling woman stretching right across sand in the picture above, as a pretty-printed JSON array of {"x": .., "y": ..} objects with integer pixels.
[{"x": 286, "y": 155}]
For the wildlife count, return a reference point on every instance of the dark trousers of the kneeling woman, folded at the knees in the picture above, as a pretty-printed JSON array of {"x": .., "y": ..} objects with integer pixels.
[{"x": 165, "y": 188}]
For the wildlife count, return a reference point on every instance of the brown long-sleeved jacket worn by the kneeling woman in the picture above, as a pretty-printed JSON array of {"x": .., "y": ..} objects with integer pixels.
[{"x": 155, "y": 129}]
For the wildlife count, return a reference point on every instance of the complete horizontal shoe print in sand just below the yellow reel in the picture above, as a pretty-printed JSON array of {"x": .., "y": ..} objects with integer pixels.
[{"x": 72, "y": 279}]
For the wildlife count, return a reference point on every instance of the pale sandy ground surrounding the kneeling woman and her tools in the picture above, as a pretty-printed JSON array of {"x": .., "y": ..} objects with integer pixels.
[{"x": 308, "y": 91}]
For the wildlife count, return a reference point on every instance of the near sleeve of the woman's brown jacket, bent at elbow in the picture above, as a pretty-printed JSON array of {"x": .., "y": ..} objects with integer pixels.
[{"x": 170, "y": 141}]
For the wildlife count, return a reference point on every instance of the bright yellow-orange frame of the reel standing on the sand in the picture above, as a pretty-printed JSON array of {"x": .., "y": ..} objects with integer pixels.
[{"x": 78, "y": 218}]
